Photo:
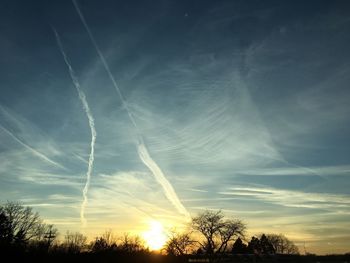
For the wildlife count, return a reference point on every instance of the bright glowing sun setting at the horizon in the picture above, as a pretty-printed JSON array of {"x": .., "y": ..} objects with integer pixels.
[{"x": 155, "y": 236}]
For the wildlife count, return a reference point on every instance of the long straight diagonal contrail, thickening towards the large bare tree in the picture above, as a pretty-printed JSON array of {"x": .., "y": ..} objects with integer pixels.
[{"x": 142, "y": 149}]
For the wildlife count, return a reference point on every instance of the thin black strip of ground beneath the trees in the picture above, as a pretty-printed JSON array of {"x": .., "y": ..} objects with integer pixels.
[{"x": 112, "y": 257}]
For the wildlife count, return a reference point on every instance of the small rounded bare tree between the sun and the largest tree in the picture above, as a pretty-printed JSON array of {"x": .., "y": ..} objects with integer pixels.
[{"x": 179, "y": 244}]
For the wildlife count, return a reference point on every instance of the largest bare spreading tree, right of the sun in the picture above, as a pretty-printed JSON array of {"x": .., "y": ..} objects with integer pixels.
[{"x": 217, "y": 231}]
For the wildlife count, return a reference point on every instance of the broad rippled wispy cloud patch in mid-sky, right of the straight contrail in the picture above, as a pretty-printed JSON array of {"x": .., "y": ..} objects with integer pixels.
[{"x": 224, "y": 126}]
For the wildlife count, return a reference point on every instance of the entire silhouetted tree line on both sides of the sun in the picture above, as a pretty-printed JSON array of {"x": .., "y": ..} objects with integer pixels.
[{"x": 210, "y": 233}]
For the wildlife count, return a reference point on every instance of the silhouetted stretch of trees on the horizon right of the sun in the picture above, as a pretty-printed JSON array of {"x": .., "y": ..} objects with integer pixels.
[{"x": 212, "y": 234}]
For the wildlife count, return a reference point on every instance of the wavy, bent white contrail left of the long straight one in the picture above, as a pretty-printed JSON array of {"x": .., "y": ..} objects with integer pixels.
[{"x": 91, "y": 124}]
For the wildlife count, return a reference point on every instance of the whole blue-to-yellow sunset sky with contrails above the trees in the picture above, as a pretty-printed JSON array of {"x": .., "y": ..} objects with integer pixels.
[{"x": 114, "y": 114}]
